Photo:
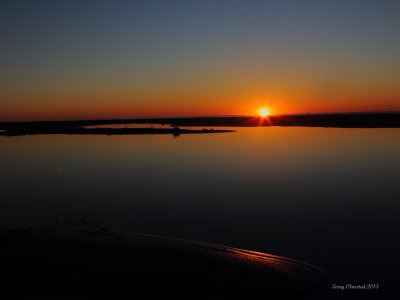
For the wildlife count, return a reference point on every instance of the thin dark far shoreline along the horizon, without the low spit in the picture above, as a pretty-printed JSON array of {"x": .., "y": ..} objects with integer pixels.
[{"x": 344, "y": 120}]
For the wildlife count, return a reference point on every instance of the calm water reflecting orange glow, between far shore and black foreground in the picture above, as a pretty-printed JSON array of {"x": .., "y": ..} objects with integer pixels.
[{"x": 327, "y": 196}]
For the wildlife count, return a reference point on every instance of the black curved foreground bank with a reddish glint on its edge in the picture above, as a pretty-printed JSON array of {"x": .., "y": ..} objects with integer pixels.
[{"x": 83, "y": 261}]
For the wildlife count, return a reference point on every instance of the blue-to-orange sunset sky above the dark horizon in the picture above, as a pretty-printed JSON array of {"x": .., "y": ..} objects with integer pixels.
[{"x": 110, "y": 59}]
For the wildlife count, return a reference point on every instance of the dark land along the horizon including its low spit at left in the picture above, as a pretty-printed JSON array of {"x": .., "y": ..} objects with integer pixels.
[{"x": 343, "y": 120}]
